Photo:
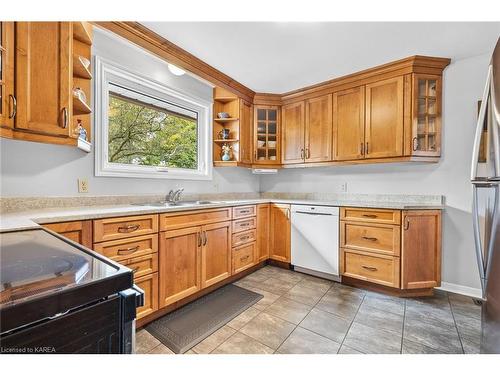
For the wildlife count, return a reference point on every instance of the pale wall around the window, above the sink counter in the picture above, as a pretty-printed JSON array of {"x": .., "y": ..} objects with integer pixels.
[{"x": 35, "y": 169}]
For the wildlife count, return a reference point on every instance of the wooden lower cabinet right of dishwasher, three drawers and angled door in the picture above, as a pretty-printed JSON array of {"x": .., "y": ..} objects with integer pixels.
[{"x": 404, "y": 255}]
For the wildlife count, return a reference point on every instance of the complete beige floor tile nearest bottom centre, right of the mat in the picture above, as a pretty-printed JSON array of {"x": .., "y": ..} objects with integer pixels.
[{"x": 268, "y": 329}]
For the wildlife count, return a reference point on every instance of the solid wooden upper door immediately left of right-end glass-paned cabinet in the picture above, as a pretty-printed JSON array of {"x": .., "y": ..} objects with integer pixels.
[{"x": 384, "y": 118}]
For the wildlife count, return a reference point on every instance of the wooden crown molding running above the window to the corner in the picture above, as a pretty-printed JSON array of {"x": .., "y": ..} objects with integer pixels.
[{"x": 153, "y": 42}]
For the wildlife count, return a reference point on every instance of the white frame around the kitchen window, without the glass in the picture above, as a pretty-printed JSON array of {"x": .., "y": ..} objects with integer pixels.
[{"x": 107, "y": 72}]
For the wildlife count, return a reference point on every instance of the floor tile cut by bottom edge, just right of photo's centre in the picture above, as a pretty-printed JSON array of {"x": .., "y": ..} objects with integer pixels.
[{"x": 302, "y": 341}]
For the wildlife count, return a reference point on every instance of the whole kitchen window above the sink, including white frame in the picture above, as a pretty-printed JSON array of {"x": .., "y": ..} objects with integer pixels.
[{"x": 147, "y": 130}]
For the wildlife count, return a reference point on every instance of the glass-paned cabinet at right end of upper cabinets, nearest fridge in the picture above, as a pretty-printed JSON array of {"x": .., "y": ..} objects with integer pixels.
[{"x": 427, "y": 115}]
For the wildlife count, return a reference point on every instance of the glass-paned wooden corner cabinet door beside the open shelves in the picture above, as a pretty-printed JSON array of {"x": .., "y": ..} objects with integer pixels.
[{"x": 267, "y": 135}]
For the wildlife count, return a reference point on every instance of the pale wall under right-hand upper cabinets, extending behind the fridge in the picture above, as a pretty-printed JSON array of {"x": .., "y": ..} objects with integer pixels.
[{"x": 463, "y": 85}]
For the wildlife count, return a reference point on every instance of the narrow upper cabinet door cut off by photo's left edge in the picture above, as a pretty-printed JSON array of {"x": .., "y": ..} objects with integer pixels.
[{"x": 7, "y": 74}]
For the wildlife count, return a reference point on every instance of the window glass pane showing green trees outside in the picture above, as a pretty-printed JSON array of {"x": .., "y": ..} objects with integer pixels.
[{"x": 146, "y": 131}]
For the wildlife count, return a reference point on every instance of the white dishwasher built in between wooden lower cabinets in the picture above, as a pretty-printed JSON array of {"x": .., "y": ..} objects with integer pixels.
[{"x": 315, "y": 240}]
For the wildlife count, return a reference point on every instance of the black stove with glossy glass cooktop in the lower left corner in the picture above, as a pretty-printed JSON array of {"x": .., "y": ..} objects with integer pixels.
[{"x": 48, "y": 284}]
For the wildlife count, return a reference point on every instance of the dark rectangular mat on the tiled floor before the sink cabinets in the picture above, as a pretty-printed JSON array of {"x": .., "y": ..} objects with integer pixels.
[{"x": 185, "y": 327}]
